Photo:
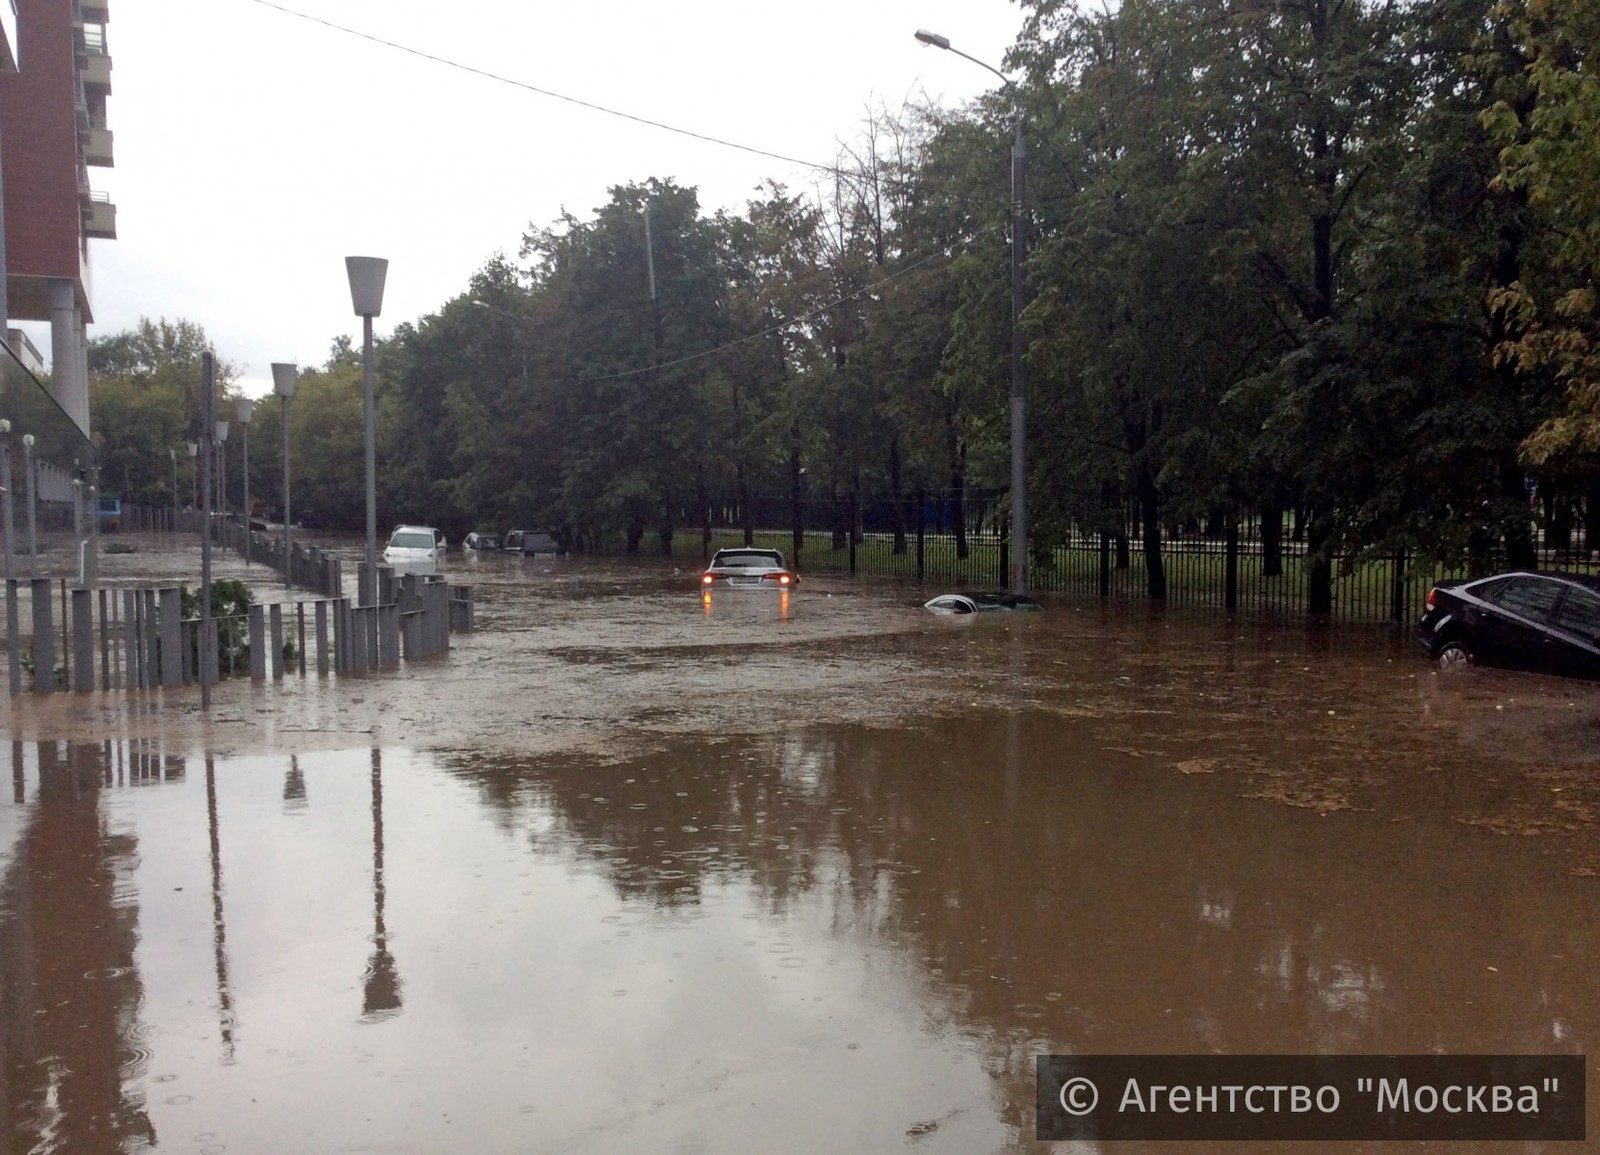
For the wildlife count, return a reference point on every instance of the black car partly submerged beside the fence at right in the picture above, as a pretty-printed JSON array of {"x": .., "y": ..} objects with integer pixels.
[{"x": 1534, "y": 621}]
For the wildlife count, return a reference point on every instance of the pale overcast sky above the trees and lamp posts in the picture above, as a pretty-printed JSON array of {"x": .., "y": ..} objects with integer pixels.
[{"x": 255, "y": 148}]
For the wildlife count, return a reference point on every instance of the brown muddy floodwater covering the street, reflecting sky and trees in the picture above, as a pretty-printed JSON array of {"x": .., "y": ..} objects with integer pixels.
[{"x": 630, "y": 873}]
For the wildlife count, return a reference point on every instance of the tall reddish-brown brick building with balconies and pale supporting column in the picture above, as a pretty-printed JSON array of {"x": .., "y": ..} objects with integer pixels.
[{"x": 52, "y": 130}]
